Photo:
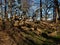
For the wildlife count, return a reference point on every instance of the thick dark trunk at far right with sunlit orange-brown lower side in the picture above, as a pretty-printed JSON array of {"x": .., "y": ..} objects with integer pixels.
[{"x": 56, "y": 10}]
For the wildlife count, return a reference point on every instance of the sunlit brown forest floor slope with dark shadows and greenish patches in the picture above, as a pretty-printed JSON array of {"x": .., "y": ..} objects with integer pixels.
[{"x": 31, "y": 33}]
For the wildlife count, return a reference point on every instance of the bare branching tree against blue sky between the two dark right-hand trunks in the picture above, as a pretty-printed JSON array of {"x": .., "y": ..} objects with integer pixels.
[{"x": 47, "y": 7}]
